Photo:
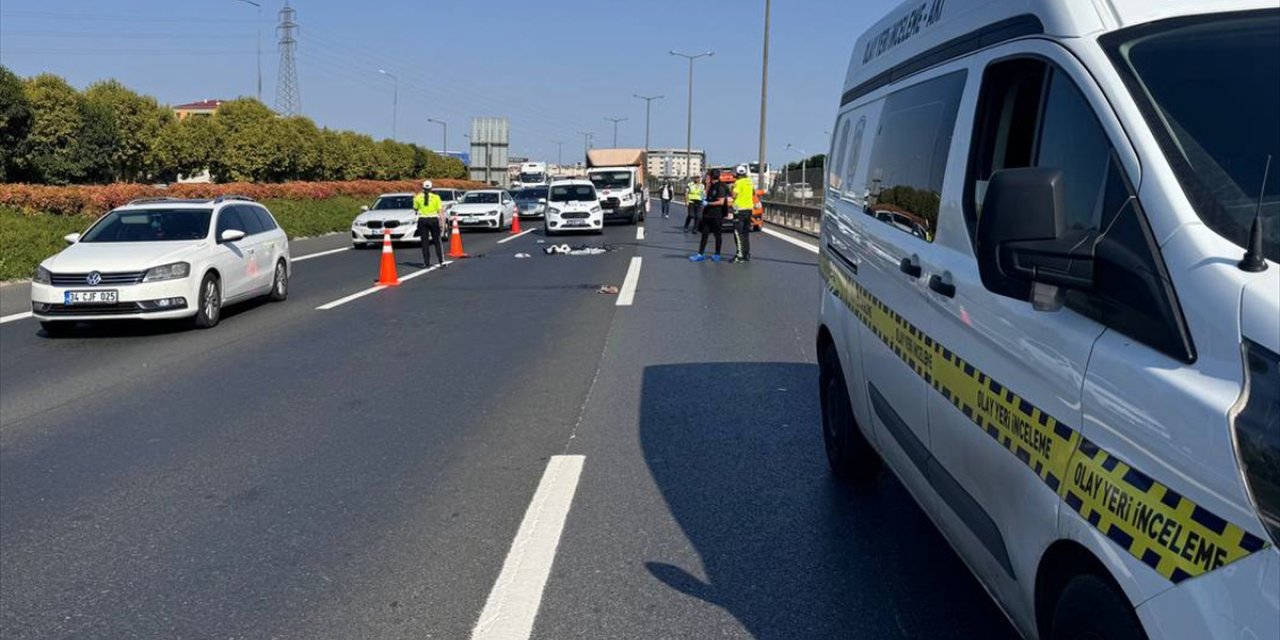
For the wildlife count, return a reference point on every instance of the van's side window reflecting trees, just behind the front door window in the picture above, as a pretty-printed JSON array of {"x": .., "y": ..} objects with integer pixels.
[{"x": 909, "y": 158}]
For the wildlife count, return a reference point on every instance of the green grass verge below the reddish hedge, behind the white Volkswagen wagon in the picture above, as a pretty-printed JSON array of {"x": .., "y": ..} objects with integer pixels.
[{"x": 26, "y": 240}]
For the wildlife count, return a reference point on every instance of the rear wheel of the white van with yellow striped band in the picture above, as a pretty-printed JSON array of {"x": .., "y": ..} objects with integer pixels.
[{"x": 849, "y": 454}]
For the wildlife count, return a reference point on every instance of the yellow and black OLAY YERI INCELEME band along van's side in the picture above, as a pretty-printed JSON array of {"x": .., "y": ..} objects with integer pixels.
[{"x": 1155, "y": 524}]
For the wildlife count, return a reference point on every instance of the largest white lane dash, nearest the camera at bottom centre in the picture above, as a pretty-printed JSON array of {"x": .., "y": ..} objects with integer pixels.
[{"x": 516, "y": 596}]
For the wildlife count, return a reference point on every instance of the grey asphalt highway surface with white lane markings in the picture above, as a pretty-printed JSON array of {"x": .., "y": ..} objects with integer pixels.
[{"x": 364, "y": 472}]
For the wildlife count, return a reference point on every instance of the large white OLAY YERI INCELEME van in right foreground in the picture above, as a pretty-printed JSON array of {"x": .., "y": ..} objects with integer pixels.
[{"x": 1050, "y": 250}]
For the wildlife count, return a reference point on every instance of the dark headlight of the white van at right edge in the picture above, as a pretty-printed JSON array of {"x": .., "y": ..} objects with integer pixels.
[{"x": 1258, "y": 433}]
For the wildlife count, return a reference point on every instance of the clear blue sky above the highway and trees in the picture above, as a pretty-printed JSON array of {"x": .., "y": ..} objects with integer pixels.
[{"x": 554, "y": 67}]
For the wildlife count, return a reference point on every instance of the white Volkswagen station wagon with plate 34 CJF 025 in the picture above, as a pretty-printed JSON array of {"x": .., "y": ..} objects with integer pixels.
[{"x": 161, "y": 259}]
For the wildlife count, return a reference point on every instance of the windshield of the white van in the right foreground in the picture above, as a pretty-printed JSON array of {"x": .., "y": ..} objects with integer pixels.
[{"x": 1210, "y": 89}]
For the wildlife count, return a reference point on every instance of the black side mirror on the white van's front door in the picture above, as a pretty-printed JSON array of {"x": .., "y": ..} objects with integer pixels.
[{"x": 1023, "y": 246}]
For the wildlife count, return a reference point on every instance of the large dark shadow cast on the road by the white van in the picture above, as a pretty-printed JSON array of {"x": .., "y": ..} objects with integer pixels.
[{"x": 737, "y": 452}]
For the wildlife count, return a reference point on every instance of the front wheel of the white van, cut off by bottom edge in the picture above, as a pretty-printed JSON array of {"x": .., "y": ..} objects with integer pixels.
[{"x": 1092, "y": 610}]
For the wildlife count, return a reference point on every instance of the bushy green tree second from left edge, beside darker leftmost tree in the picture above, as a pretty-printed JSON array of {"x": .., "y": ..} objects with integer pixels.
[{"x": 48, "y": 156}]
